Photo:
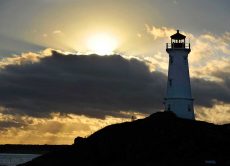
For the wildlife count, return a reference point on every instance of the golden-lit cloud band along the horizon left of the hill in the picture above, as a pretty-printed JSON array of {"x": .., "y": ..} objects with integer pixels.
[{"x": 56, "y": 129}]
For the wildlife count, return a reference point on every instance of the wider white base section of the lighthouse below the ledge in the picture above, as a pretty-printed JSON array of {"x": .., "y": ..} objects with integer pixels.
[{"x": 182, "y": 107}]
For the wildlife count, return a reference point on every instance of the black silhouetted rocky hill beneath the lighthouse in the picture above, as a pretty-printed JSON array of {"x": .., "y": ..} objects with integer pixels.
[{"x": 160, "y": 139}]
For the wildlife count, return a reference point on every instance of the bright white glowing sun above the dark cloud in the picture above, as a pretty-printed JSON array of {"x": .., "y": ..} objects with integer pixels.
[{"x": 102, "y": 44}]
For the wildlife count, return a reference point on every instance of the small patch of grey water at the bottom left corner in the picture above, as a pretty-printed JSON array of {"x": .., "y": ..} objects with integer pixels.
[{"x": 14, "y": 159}]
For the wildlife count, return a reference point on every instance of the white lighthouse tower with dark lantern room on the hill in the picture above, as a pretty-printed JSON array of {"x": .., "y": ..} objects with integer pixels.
[{"x": 178, "y": 97}]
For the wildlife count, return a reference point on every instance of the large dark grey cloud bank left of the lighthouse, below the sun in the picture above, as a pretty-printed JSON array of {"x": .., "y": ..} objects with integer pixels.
[{"x": 90, "y": 85}]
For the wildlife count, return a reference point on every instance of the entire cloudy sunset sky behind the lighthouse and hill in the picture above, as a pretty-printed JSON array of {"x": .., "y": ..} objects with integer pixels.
[{"x": 53, "y": 88}]
